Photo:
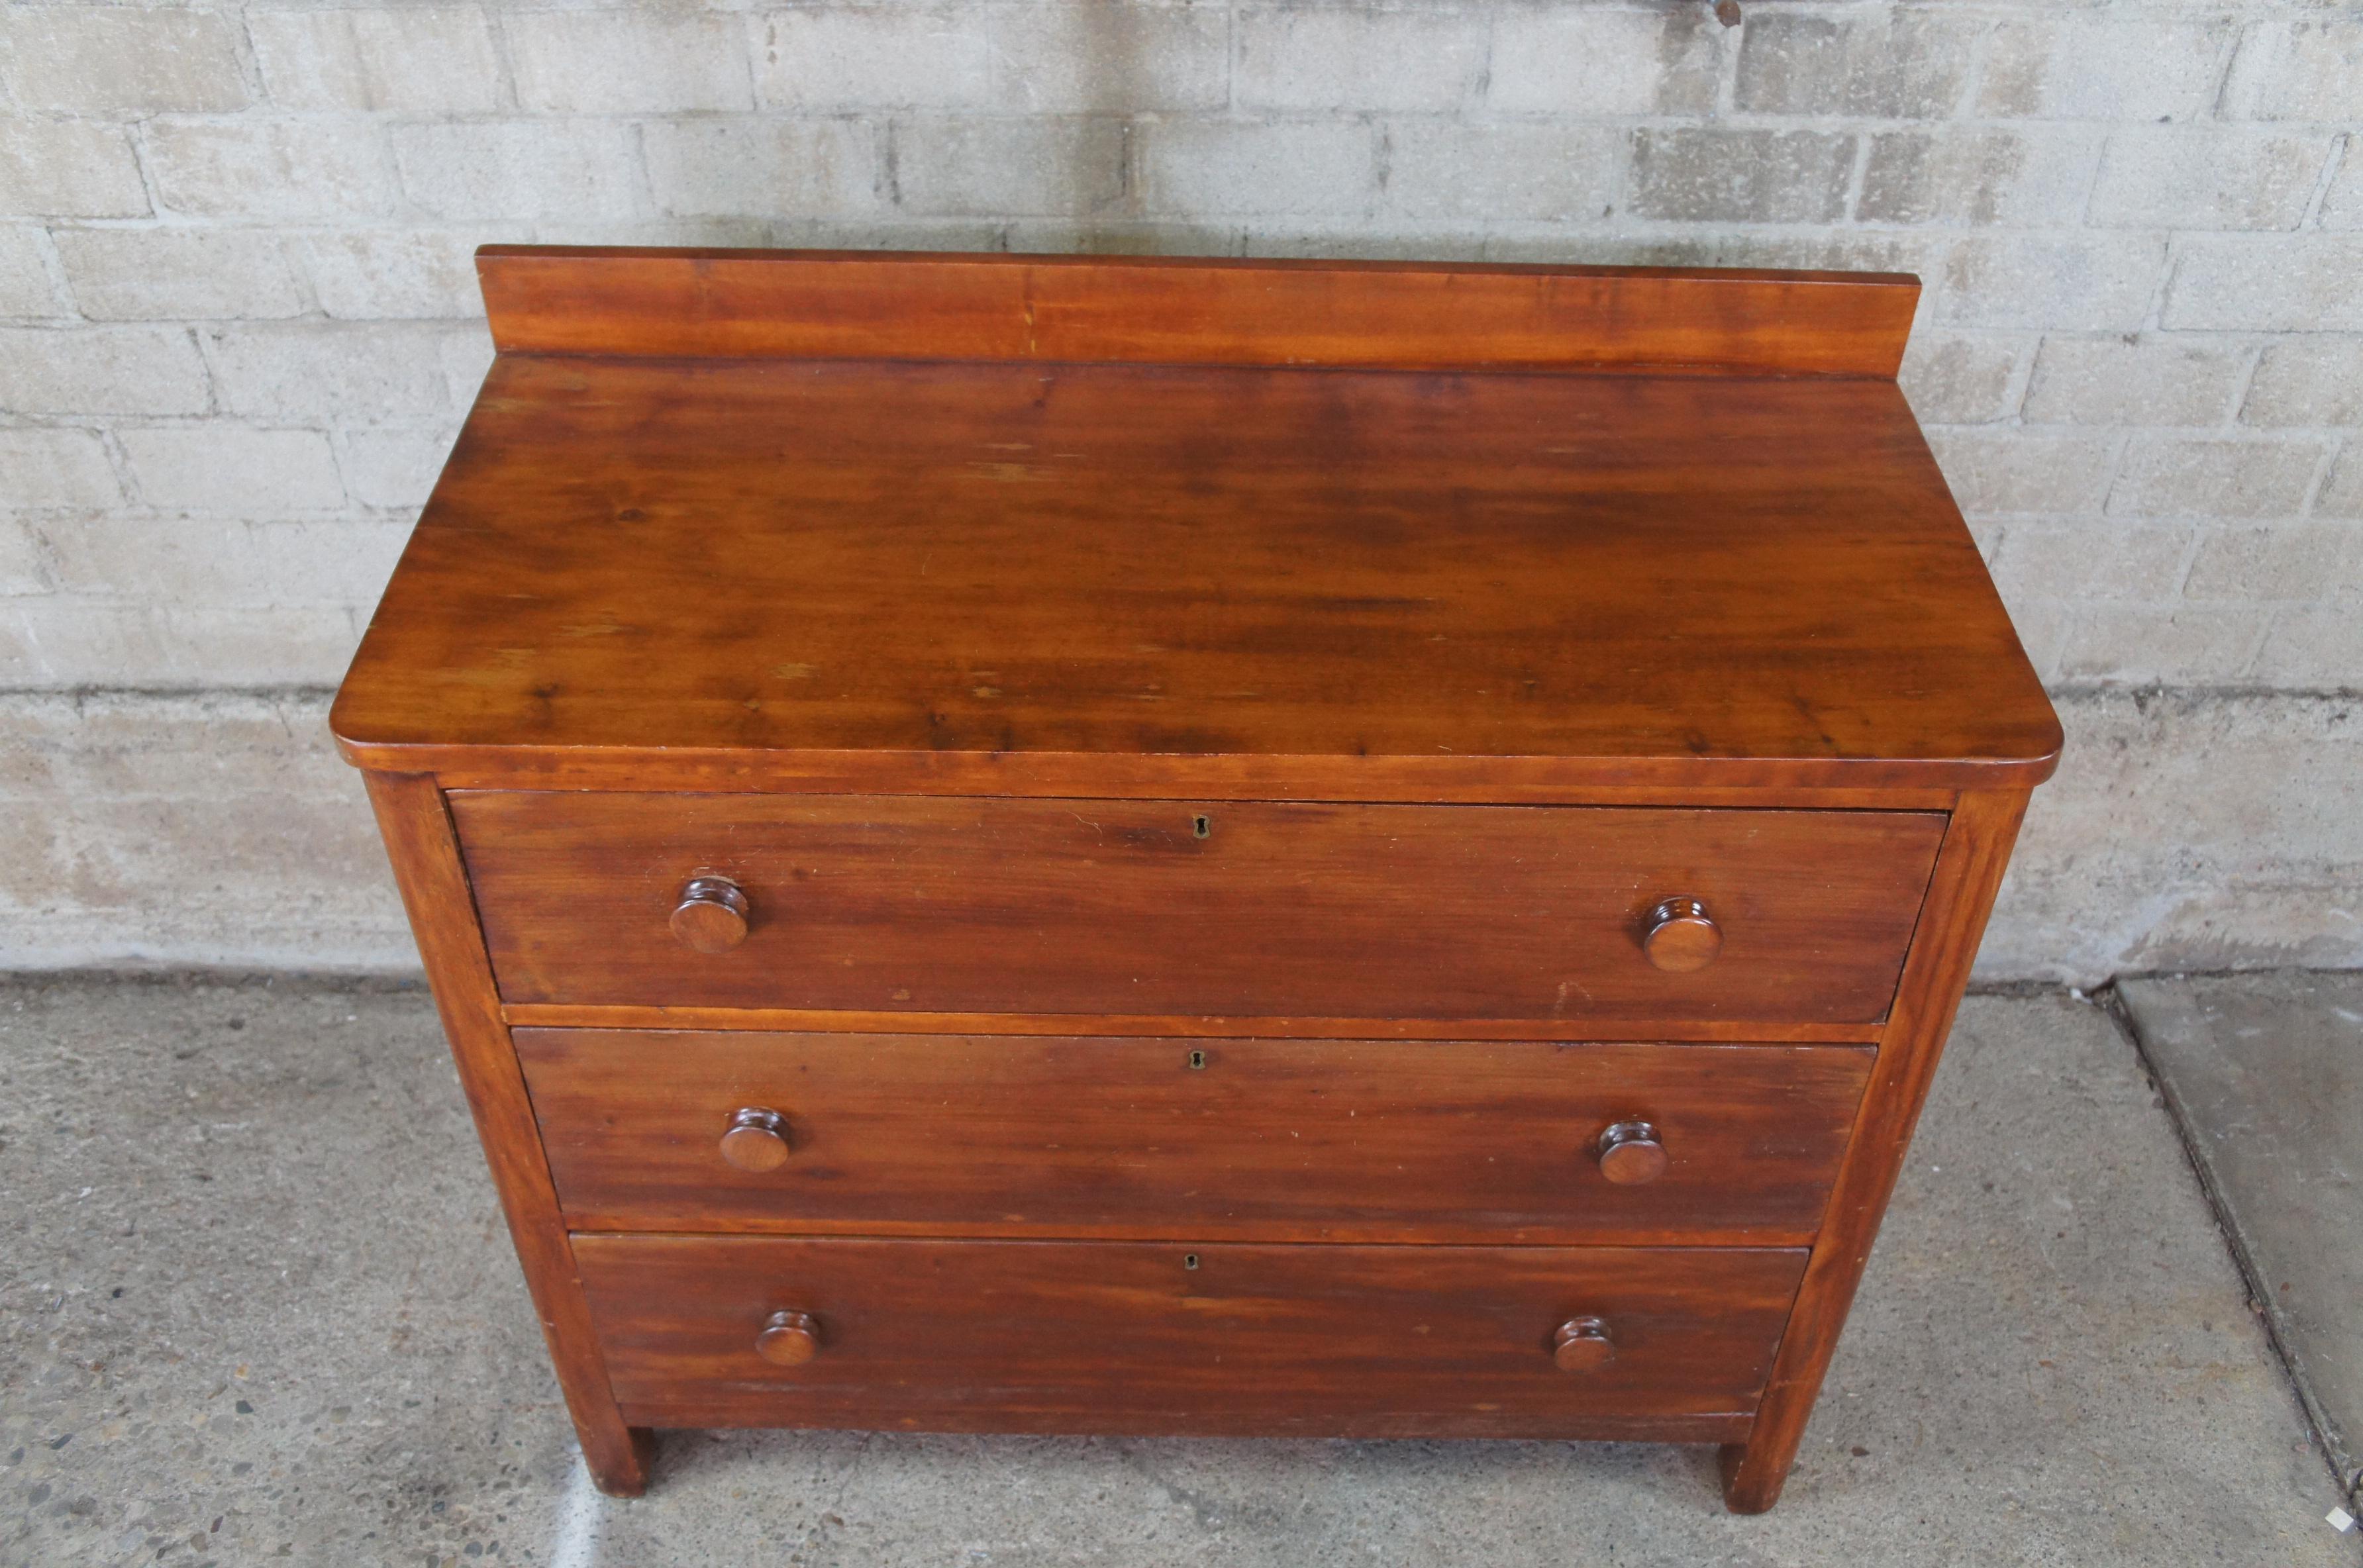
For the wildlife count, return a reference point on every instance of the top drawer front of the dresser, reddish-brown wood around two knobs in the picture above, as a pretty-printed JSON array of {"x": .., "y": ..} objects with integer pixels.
[{"x": 963, "y": 906}]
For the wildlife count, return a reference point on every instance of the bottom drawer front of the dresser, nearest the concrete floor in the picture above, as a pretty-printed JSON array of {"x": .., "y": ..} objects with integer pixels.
[{"x": 1152, "y": 1338}]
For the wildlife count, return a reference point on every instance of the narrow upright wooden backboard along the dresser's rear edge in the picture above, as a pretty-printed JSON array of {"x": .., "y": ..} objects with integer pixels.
[{"x": 1192, "y": 311}]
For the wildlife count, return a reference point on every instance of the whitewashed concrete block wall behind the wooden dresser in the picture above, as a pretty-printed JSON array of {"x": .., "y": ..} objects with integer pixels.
[{"x": 240, "y": 325}]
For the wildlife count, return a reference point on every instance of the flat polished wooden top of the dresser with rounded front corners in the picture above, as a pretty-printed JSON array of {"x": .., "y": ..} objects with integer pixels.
[{"x": 1719, "y": 580}]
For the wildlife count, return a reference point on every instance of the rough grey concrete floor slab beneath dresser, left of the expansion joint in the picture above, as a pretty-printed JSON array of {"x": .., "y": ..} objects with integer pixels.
[{"x": 259, "y": 1307}]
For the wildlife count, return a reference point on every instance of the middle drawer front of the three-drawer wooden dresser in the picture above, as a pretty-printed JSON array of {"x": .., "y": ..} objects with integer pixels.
[{"x": 1277, "y": 1139}]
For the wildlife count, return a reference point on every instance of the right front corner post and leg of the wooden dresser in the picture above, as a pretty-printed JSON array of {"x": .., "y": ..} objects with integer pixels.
[{"x": 1960, "y": 899}]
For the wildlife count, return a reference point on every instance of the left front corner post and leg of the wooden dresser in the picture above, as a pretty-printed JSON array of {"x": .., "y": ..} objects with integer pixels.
[{"x": 436, "y": 896}]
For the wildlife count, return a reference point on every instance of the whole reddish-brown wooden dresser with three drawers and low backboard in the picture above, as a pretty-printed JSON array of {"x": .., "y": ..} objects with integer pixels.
[{"x": 1048, "y": 844}]
